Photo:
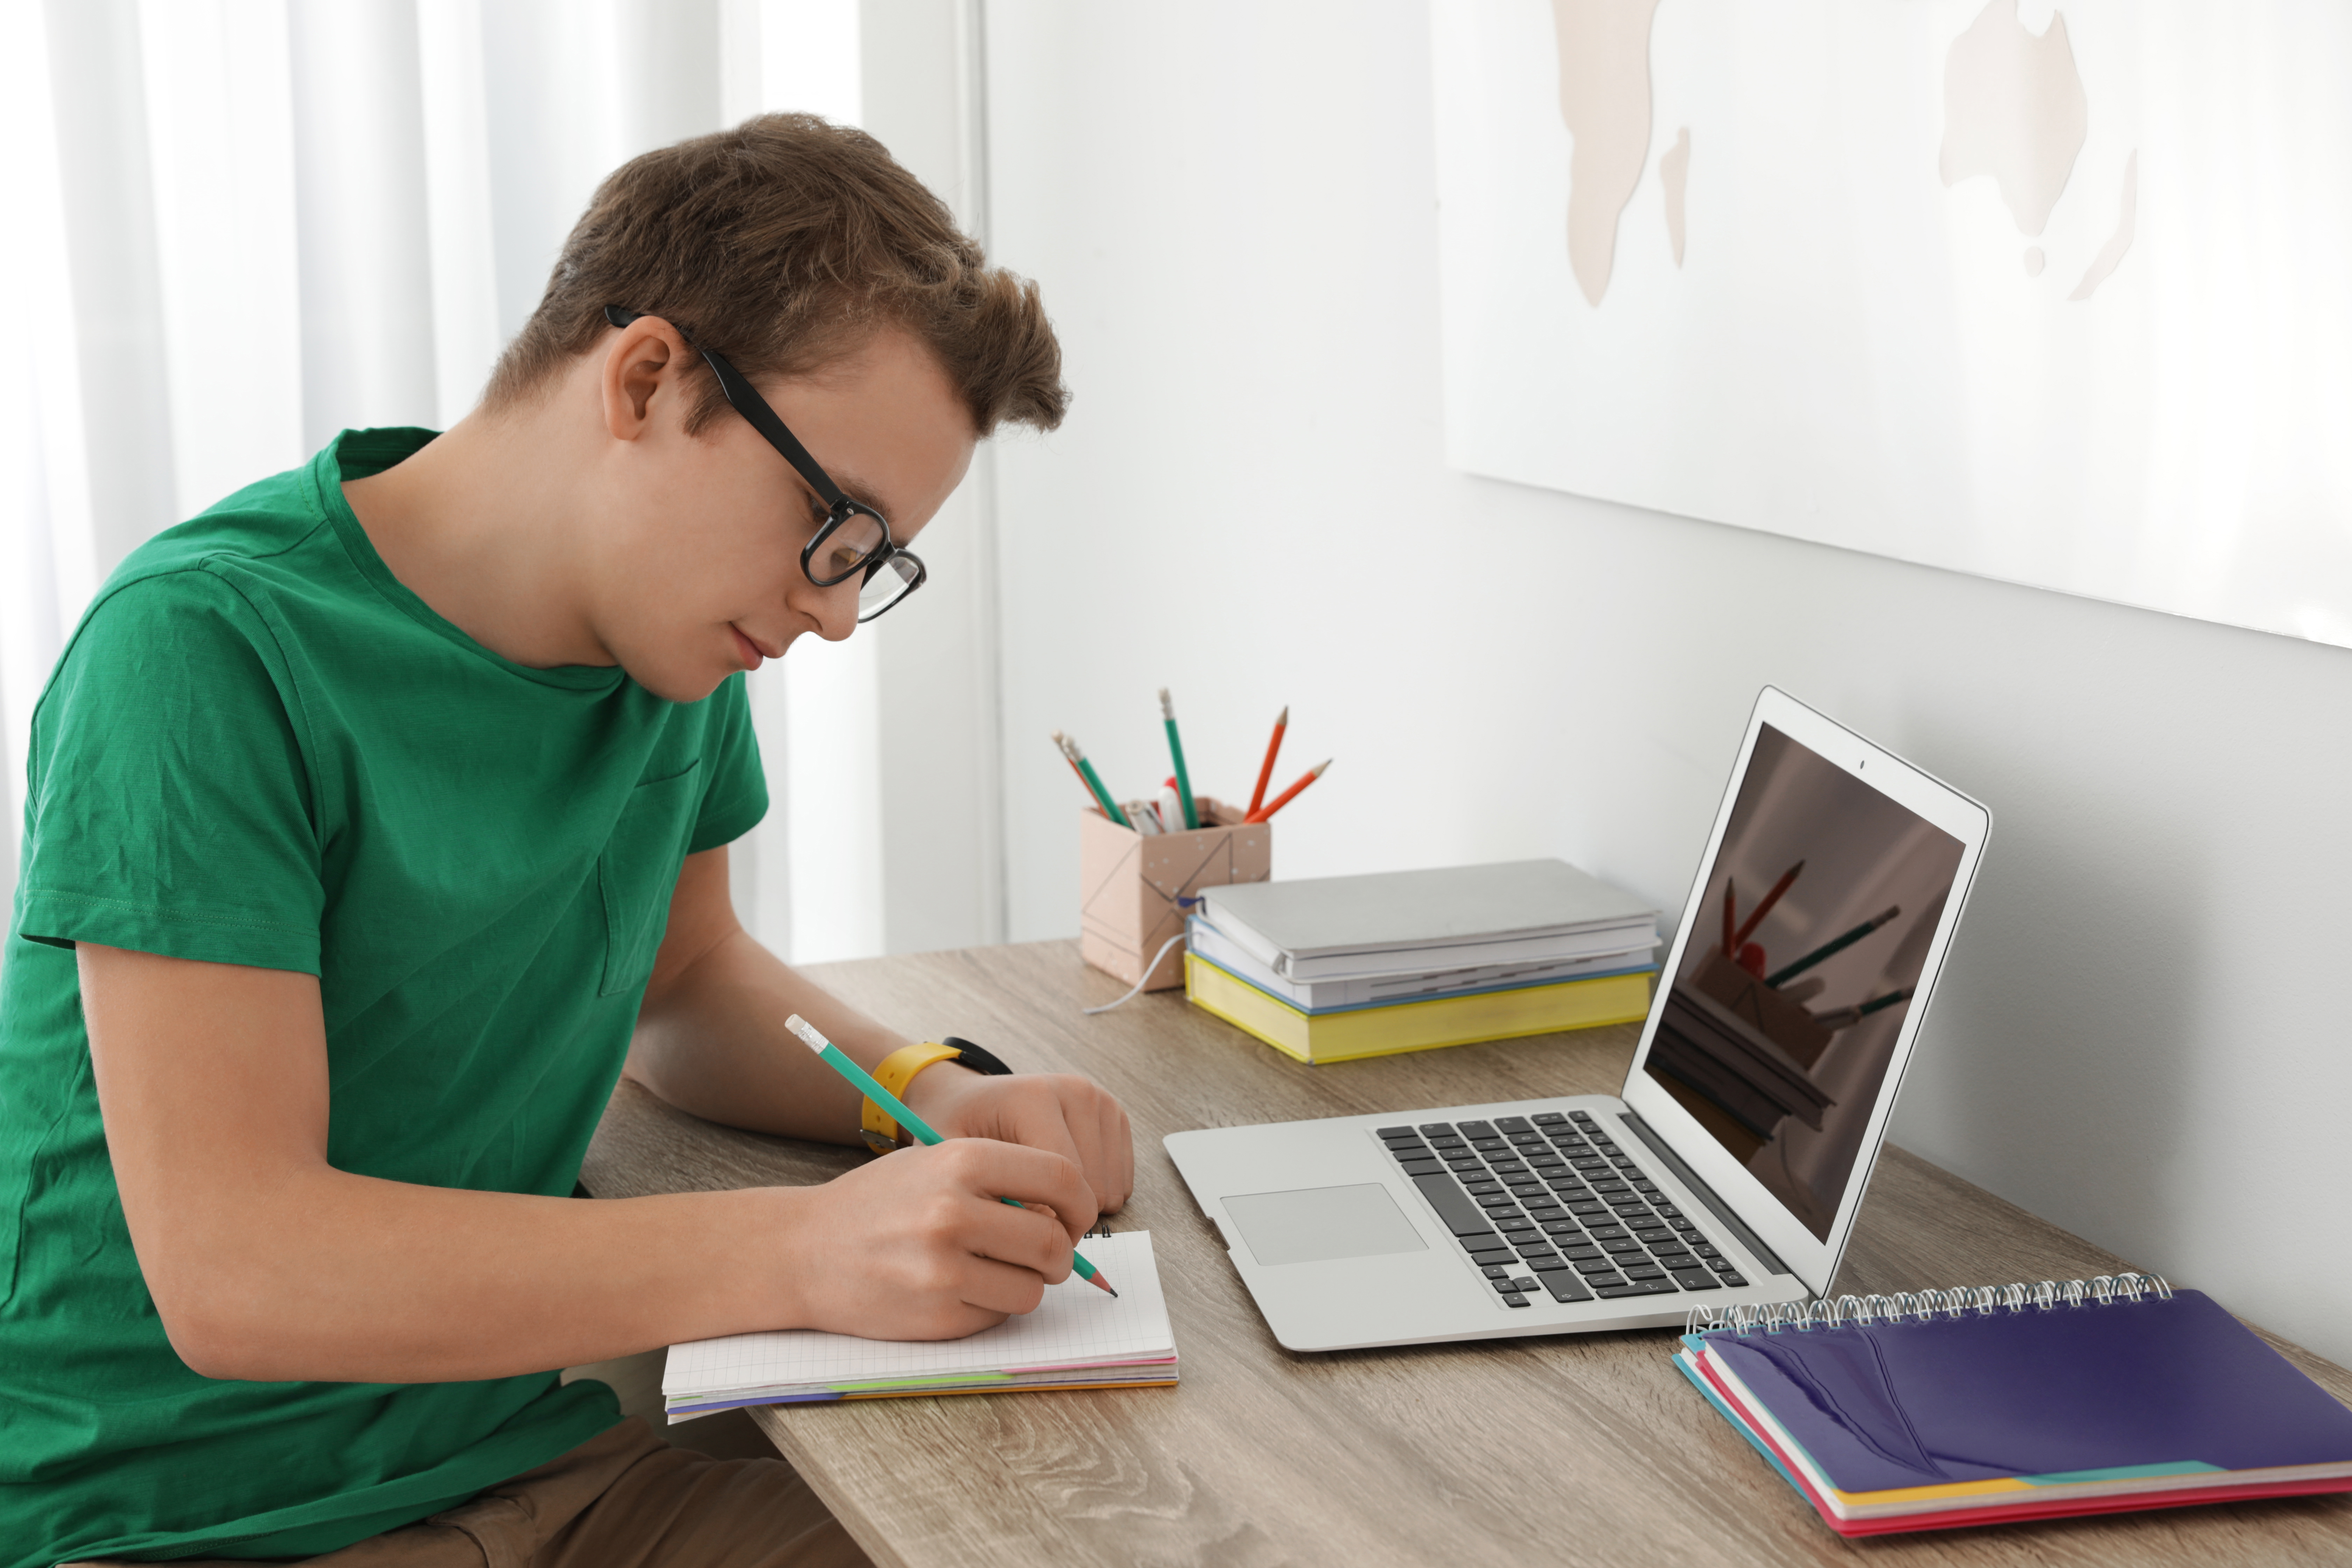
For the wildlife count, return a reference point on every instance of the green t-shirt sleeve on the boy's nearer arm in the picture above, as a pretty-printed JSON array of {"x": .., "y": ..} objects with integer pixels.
[{"x": 168, "y": 805}]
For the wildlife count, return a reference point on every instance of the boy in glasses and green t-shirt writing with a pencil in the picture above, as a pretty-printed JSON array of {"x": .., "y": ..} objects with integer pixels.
[{"x": 377, "y": 815}]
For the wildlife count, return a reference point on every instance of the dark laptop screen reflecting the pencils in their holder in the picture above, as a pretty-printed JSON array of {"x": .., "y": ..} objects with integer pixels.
[{"x": 1812, "y": 934}]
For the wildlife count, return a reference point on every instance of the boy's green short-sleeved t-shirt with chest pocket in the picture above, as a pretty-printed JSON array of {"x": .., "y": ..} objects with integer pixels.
[{"x": 260, "y": 749}]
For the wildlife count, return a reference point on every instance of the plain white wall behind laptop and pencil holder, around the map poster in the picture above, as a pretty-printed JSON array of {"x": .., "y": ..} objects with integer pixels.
[{"x": 1231, "y": 213}]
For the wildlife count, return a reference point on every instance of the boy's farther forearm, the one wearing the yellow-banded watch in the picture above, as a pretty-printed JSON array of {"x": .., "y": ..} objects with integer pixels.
[{"x": 714, "y": 1045}]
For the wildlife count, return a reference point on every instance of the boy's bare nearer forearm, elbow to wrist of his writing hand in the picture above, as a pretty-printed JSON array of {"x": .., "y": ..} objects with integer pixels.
[{"x": 356, "y": 1280}]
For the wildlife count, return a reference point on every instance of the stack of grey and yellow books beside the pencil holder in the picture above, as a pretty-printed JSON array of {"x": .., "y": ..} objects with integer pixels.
[{"x": 1342, "y": 967}]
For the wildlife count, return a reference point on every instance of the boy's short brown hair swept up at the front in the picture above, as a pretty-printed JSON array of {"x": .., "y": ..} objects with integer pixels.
[{"x": 787, "y": 243}]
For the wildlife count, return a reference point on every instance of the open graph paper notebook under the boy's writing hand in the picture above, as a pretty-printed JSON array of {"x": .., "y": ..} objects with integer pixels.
[{"x": 1078, "y": 1339}]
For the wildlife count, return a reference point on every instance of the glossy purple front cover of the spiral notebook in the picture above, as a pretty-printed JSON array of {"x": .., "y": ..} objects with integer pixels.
[{"x": 2040, "y": 1393}]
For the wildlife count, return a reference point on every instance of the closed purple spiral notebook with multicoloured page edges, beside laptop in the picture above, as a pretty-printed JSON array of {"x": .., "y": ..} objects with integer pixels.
[{"x": 2026, "y": 1402}]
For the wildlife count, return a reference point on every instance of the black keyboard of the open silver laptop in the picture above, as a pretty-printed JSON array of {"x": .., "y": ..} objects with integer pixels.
[{"x": 1553, "y": 1205}]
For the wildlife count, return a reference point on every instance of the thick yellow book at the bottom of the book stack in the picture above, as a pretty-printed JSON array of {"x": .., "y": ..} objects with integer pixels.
[{"x": 1415, "y": 1026}]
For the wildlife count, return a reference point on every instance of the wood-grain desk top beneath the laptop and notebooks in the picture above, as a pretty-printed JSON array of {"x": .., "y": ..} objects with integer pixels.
[{"x": 1572, "y": 1449}]
